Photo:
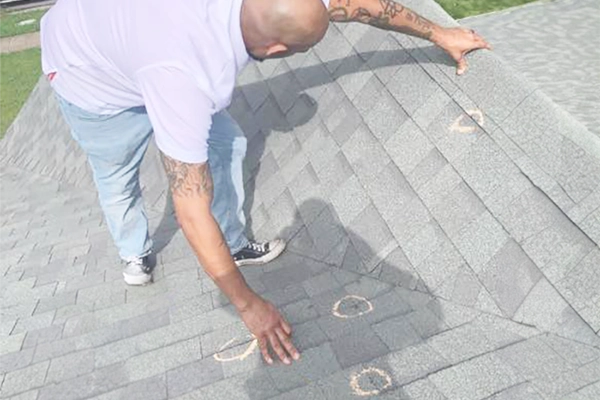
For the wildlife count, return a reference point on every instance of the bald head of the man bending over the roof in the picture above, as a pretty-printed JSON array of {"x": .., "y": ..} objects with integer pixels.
[{"x": 277, "y": 28}]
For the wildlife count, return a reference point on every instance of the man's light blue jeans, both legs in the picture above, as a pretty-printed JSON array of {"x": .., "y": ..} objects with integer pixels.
[{"x": 115, "y": 146}]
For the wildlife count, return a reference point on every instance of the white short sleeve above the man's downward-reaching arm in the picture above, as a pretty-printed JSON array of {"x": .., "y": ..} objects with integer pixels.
[{"x": 180, "y": 113}]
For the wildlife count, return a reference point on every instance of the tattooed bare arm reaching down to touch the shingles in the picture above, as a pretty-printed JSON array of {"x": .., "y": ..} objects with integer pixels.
[{"x": 192, "y": 190}]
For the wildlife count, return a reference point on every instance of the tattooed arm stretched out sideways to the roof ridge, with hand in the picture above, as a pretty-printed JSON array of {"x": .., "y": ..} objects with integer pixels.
[{"x": 389, "y": 15}]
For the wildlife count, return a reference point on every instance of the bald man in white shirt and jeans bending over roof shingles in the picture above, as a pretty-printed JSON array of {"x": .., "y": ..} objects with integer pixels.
[{"x": 124, "y": 69}]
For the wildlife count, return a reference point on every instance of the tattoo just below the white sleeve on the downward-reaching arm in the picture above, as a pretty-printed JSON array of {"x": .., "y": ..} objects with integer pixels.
[{"x": 187, "y": 179}]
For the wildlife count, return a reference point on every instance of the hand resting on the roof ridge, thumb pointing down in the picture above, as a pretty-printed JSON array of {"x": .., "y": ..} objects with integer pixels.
[{"x": 458, "y": 42}]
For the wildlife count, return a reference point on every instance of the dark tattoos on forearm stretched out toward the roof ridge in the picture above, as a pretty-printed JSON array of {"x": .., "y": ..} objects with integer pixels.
[{"x": 383, "y": 18}]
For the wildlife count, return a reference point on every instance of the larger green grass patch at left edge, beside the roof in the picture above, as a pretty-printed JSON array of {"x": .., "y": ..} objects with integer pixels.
[{"x": 19, "y": 72}]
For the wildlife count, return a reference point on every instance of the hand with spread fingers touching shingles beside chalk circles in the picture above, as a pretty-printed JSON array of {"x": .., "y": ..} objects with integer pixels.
[{"x": 269, "y": 328}]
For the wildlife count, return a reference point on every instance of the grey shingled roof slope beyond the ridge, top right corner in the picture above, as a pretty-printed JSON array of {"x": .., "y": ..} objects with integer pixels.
[{"x": 556, "y": 45}]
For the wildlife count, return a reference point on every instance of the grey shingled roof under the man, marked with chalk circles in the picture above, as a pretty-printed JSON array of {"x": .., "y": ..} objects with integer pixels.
[{"x": 458, "y": 213}]
